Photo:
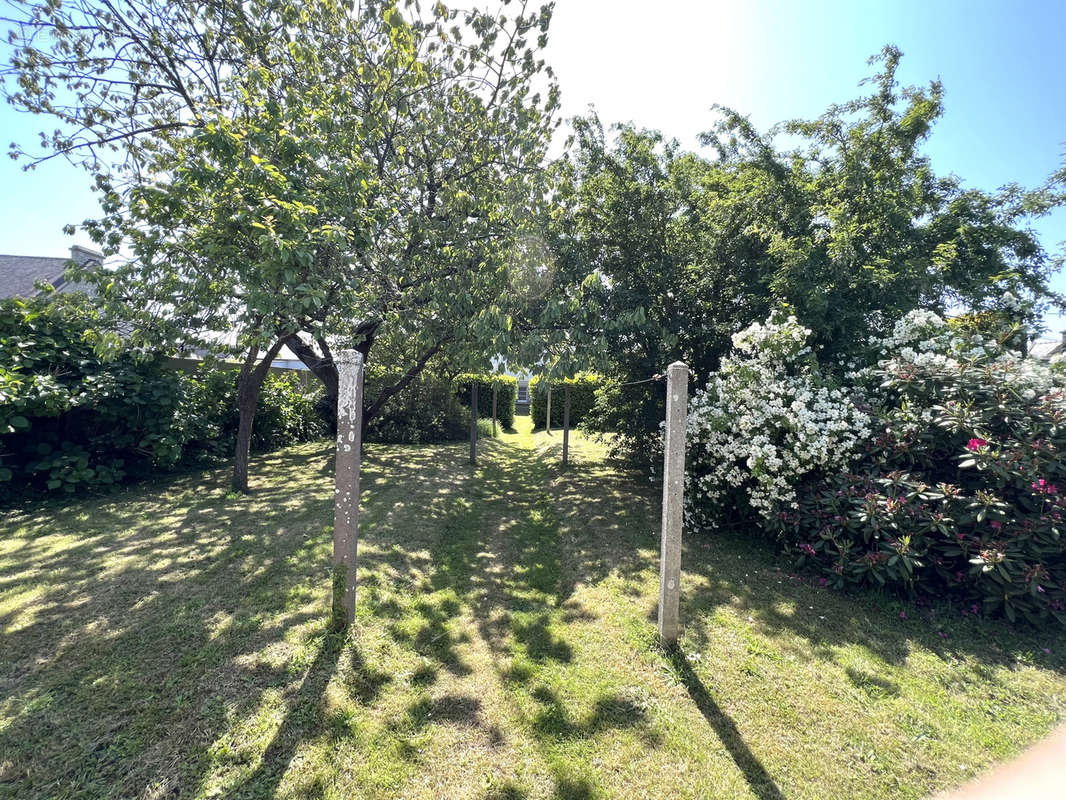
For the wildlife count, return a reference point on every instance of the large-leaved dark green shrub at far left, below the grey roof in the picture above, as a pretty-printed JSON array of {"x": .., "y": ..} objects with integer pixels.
[{"x": 70, "y": 419}]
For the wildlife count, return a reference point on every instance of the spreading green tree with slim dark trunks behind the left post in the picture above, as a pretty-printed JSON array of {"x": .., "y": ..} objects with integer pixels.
[{"x": 318, "y": 174}]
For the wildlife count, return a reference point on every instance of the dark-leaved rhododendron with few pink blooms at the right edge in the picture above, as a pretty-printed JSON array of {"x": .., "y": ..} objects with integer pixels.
[{"x": 970, "y": 505}]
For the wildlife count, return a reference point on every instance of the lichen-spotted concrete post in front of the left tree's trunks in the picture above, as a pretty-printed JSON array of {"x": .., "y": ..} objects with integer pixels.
[{"x": 347, "y": 493}]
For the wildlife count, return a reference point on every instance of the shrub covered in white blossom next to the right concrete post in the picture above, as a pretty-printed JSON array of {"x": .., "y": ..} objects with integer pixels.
[{"x": 767, "y": 419}]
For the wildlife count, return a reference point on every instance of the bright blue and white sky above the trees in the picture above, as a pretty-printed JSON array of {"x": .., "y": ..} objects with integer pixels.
[{"x": 665, "y": 65}]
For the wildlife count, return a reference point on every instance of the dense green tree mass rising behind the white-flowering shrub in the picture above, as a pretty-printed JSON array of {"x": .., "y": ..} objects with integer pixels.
[{"x": 850, "y": 229}]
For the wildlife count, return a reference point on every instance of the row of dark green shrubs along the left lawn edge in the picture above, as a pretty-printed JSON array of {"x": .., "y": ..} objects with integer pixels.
[{"x": 72, "y": 419}]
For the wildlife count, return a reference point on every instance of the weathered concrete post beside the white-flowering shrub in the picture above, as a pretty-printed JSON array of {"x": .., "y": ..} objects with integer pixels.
[{"x": 670, "y": 561}]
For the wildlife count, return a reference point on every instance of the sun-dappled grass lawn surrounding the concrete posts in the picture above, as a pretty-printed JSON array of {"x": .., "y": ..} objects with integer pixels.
[{"x": 171, "y": 643}]
